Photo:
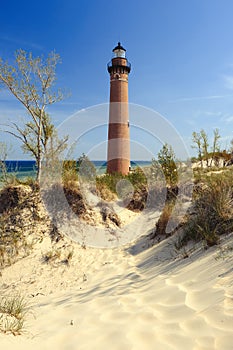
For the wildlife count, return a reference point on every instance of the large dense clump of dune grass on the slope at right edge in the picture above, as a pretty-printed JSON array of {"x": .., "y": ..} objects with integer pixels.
[{"x": 212, "y": 212}]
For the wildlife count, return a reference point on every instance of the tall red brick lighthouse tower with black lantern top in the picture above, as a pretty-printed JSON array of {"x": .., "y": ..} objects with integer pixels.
[{"x": 118, "y": 160}]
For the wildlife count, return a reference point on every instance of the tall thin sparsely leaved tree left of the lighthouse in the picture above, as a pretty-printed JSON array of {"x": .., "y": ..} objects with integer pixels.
[{"x": 31, "y": 80}]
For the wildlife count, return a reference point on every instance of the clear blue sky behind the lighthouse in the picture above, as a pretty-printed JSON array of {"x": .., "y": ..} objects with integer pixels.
[{"x": 181, "y": 54}]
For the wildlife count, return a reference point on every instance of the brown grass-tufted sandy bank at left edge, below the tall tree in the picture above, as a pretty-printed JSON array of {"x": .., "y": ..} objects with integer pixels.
[{"x": 19, "y": 213}]
